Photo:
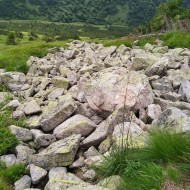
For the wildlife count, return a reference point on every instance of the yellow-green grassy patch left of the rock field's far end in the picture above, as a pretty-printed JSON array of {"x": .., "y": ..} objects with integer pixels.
[{"x": 14, "y": 57}]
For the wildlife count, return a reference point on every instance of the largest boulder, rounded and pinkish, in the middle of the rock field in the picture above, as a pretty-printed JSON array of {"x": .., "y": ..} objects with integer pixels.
[{"x": 116, "y": 87}]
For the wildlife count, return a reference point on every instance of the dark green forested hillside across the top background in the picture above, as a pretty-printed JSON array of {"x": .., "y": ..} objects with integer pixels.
[{"x": 125, "y": 12}]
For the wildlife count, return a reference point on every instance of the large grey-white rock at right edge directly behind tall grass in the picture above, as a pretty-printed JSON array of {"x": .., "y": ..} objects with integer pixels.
[{"x": 173, "y": 119}]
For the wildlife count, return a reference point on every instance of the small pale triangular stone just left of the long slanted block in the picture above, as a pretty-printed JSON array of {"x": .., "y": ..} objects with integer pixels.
[{"x": 32, "y": 108}]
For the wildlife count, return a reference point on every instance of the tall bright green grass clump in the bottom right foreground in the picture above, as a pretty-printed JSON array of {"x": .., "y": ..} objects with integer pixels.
[{"x": 166, "y": 157}]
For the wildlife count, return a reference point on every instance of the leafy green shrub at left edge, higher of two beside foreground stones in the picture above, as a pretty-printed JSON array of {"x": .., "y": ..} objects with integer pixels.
[{"x": 8, "y": 141}]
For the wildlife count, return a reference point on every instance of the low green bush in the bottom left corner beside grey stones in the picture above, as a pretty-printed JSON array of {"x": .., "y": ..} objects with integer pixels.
[{"x": 12, "y": 173}]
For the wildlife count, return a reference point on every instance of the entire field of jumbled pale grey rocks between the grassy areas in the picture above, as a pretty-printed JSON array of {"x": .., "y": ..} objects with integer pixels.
[{"x": 80, "y": 101}]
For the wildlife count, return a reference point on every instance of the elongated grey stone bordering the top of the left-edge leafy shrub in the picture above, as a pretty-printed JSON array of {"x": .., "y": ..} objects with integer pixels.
[{"x": 21, "y": 133}]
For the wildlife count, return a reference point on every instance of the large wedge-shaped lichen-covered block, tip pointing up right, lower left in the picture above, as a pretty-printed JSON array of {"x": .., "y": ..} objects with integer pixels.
[{"x": 60, "y": 153}]
